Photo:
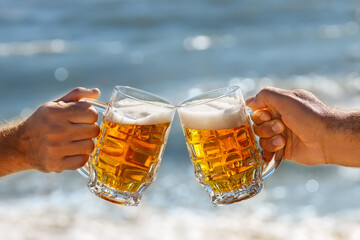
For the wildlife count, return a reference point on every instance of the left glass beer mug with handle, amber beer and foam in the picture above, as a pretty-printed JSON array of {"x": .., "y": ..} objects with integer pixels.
[{"x": 130, "y": 146}]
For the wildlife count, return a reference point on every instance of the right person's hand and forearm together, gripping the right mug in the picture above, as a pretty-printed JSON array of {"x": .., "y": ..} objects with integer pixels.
[{"x": 311, "y": 132}]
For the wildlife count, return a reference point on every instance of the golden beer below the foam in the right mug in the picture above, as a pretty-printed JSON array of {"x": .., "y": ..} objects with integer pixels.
[{"x": 224, "y": 160}]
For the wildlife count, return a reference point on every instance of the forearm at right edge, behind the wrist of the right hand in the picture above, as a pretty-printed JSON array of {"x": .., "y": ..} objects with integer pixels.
[{"x": 343, "y": 145}]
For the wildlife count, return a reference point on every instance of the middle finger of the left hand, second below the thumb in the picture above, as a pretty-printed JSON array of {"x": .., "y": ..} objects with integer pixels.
[{"x": 84, "y": 131}]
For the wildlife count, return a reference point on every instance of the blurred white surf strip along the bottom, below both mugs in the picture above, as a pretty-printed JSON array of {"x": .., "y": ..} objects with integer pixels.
[{"x": 177, "y": 224}]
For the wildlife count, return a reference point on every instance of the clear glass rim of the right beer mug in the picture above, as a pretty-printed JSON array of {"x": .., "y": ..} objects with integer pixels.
[{"x": 226, "y": 91}]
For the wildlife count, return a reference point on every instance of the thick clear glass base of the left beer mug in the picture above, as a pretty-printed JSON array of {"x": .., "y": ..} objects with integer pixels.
[{"x": 113, "y": 195}]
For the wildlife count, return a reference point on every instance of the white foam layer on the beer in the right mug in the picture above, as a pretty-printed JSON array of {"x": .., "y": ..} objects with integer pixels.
[{"x": 218, "y": 114}]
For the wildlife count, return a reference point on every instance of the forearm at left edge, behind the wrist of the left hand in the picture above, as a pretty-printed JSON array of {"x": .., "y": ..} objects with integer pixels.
[{"x": 12, "y": 158}]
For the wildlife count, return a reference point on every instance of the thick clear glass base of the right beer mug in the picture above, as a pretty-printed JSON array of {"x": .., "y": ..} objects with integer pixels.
[{"x": 219, "y": 199}]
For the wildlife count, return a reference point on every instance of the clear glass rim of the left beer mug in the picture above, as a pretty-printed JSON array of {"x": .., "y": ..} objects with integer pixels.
[{"x": 158, "y": 99}]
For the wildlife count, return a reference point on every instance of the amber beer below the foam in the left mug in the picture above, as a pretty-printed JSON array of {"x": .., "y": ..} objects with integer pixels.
[{"x": 127, "y": 156}]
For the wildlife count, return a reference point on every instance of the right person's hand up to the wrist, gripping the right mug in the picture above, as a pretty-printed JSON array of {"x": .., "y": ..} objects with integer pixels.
[{"x": 294, "y": 119}]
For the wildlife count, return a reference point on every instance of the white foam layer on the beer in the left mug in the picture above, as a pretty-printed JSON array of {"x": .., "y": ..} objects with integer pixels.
[{"x": 128, "y": 111}]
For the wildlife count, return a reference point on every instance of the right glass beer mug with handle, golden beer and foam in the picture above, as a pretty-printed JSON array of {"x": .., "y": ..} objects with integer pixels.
[{"x": 222, "y": 146}]
